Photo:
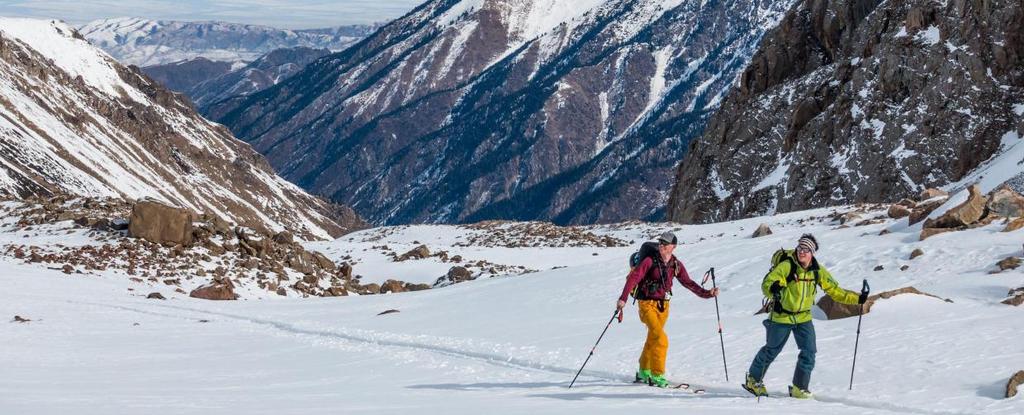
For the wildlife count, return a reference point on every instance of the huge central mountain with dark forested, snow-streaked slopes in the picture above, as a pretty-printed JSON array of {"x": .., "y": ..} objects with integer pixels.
[{"x": 573, "y": 112}]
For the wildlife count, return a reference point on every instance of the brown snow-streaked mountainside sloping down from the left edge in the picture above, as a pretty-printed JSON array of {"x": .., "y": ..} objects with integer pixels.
[{"x": 74, "y": 121}]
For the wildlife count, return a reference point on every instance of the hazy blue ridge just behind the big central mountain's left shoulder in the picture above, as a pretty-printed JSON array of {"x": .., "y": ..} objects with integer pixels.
[{"x": 258, "y": 76}]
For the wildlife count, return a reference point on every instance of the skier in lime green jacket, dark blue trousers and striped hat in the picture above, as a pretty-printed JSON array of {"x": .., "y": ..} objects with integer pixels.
[{"x": 793, "y": 284}]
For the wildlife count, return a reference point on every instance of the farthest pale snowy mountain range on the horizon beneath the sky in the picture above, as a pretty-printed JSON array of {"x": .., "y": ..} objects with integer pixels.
[{"x": 145, "y": 43}]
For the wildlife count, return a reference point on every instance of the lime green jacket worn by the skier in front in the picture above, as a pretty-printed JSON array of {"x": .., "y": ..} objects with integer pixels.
[{"x": 798, "y": 297}]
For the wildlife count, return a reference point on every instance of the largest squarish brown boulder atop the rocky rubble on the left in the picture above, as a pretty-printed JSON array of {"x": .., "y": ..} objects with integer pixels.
[{"x": 161, "y": 224}]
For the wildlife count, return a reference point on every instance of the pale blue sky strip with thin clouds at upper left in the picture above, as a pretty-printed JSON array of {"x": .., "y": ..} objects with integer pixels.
[{"x": 279, "y": 14}]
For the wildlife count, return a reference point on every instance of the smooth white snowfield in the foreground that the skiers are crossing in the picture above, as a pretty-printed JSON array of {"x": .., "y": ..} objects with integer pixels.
[{"x": 510, "y": 346}]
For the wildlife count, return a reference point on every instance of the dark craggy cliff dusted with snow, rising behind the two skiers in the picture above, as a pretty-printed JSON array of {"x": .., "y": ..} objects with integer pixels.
[{"x": 860, "y": 101}]
